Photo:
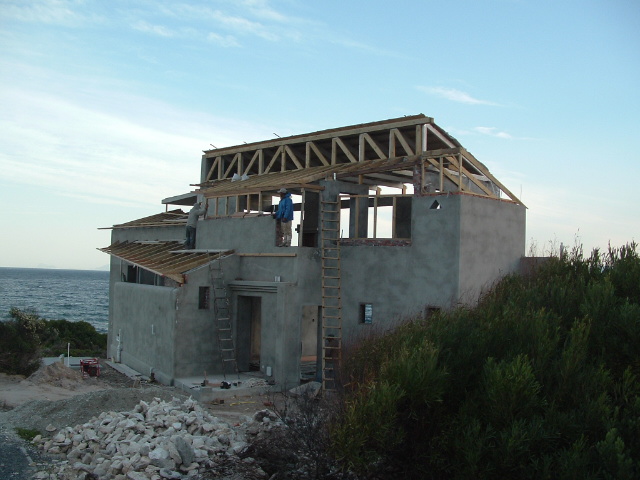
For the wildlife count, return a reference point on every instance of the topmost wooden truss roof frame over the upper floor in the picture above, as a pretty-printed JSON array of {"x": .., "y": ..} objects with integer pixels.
[{"x": 395, "y": 152}]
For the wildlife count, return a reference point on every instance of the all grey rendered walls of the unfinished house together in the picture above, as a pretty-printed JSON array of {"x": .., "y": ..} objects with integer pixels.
[{"x": 454, "y": 250}]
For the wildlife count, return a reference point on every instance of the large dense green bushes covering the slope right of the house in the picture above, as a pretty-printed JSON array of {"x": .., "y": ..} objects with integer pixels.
[{"x": 540, "y": 380}]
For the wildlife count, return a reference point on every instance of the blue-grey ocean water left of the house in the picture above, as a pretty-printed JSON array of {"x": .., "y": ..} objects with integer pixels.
[{"x": 74, "y": 295}]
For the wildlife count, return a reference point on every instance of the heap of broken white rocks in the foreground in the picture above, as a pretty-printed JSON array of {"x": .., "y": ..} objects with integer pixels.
[{"x": 153, "y": 441}]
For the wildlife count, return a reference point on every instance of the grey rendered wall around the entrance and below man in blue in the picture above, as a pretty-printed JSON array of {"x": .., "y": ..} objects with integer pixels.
[{"x": 281, "y": 300}]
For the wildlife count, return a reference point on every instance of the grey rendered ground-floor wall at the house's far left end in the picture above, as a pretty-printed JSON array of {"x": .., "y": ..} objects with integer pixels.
[{"x": 144, "y": 316}]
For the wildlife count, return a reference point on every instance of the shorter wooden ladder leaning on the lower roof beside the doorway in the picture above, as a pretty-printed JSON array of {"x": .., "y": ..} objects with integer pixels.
[{"x": 222, "y": 319}]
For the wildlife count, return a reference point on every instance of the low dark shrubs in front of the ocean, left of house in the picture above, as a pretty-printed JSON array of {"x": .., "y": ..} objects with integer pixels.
[{"x": 27, "y": 337}]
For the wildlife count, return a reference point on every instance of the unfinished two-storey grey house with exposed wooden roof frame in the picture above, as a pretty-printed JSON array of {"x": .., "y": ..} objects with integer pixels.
[{"x": 392, "y": 218}]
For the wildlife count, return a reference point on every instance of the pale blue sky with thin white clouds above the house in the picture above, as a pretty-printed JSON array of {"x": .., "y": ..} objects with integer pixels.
[{"x": 106, "y": 106}]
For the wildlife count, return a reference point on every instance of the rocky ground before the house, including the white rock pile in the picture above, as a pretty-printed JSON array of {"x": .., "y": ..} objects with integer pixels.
[{"x": 109, "y": 429}]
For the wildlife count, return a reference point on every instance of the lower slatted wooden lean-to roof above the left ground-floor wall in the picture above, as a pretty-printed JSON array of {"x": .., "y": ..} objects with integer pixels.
[{"x": 168, "y": 259}]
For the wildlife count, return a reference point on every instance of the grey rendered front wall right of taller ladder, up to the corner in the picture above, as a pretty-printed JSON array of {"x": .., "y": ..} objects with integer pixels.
[{"x": 400, "y": 281}]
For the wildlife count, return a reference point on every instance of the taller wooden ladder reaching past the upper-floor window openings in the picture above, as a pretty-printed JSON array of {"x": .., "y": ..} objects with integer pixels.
[{"x": 331, "y": 294}]
